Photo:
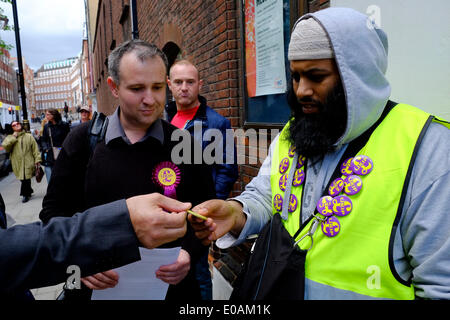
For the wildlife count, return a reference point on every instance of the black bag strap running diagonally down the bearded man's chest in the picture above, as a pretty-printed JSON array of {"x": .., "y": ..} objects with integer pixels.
[{"x": 352, "y": 148}]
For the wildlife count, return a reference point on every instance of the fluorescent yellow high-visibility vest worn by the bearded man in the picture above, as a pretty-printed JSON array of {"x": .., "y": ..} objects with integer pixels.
[{"x": 359, "y": 258}]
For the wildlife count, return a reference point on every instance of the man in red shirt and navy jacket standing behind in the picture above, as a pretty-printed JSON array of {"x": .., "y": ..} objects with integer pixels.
[{"x": 189, "y": 111}]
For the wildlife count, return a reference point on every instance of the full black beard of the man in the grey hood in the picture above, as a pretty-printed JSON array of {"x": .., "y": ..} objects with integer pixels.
[{"x": 314, "y": 134}]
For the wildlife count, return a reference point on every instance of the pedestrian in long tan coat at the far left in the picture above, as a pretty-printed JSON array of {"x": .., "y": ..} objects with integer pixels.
[{"x": 25, "y": 157}]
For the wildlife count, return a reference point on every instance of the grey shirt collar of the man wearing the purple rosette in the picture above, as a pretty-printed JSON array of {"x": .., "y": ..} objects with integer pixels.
[{"x": 115, "y": 130}]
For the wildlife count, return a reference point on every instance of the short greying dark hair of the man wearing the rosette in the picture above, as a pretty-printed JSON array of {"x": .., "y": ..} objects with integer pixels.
[{"x": 144, "y": 50}]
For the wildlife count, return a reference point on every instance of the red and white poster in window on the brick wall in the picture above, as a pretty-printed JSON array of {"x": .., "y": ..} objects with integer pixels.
[{"x": 264, "y": 47}]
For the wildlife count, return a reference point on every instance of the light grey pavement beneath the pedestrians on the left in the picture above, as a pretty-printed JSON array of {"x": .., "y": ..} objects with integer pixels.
[{"x": 22, "y": 213}]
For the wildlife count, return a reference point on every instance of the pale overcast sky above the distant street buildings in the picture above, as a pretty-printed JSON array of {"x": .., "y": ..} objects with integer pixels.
[{"x": 49, "y": 29}]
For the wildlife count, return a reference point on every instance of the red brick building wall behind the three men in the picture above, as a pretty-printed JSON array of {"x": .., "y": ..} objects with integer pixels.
[{"x": 210, "y": 34}]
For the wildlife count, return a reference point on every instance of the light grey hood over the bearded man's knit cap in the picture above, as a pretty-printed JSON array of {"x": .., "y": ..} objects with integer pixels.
[{"x": 360, "y": 51}]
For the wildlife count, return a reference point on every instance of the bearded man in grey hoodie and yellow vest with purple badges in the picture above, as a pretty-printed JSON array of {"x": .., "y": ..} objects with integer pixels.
[{"x": 373, "y": 174}]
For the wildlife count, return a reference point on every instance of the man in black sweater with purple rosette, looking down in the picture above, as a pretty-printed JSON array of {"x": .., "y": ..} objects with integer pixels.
[{"x": 134, "y": 158}]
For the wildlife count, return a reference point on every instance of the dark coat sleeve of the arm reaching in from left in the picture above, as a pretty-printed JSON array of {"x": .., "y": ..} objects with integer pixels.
[{"x": 37, "y": 255}]
